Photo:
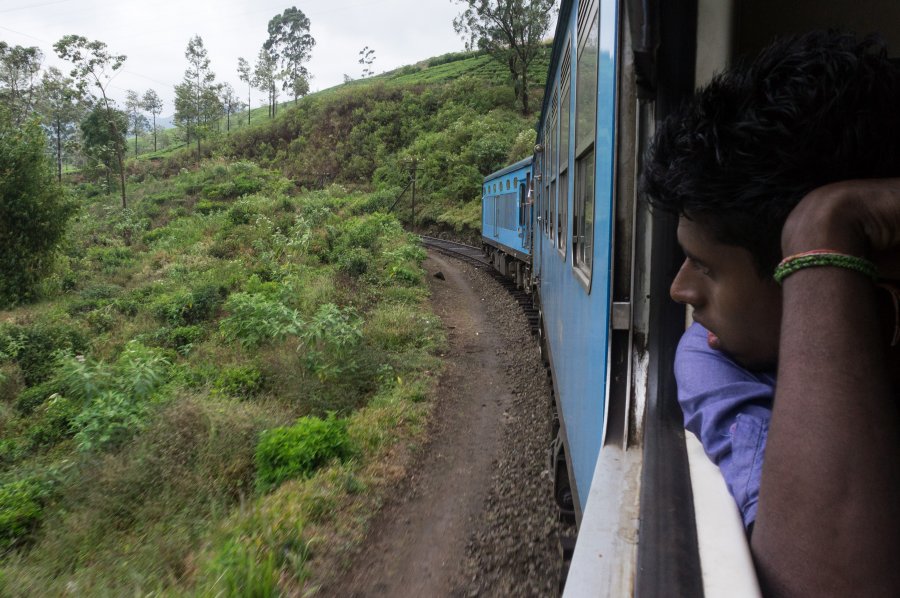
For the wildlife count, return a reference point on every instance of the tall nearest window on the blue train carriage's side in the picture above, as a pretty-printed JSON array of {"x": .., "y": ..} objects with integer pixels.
[{"x": 585, "y": 133}]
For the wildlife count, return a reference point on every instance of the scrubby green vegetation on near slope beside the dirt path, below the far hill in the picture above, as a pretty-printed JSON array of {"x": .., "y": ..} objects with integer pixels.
[{"x": 192, "y": 356}]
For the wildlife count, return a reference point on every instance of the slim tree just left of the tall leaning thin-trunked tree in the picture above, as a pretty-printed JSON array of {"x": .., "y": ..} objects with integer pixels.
[{"x": 61, "y": 107}]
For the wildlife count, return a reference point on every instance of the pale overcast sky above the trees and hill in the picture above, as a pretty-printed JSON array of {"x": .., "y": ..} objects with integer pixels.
[{"x": 154, "y": 35}]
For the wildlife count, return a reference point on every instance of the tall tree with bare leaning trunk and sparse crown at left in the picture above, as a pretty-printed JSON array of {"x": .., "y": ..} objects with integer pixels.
[{"x": 95, "y": 66}]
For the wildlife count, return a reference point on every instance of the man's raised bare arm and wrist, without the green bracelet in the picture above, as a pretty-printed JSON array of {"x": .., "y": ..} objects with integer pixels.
[{"x": 828, "y": 521}]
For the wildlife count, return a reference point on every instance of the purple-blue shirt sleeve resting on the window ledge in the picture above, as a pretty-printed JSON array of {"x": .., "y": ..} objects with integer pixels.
[{"x": 728, "y": 409}]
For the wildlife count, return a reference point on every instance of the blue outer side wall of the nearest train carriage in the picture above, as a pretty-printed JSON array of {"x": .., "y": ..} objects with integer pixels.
[{"x": 575, "y": 307}]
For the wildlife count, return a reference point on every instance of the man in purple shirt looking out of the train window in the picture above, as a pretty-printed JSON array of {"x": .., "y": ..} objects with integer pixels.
[{"x": 790, "y": 156}]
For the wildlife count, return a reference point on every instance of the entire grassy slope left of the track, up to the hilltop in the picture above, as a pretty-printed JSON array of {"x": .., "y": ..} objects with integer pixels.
[{"x": 225, "y": 302}]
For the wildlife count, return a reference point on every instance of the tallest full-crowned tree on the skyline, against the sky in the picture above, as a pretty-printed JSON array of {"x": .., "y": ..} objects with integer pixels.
[{"x": 291, "y": 45}]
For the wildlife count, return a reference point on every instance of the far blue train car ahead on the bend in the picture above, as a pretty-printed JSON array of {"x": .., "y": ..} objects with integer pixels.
[{"x": 507, "y": 216}]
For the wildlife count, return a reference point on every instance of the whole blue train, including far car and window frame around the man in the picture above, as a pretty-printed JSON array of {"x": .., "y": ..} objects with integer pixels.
[{"x": 653, "y": 513}]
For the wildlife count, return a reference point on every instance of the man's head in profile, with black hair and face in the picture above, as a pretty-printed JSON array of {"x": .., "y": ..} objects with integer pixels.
[{"x": 735, "y": 160}]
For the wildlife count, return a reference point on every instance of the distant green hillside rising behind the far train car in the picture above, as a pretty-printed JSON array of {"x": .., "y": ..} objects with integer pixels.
[{"x": 454, "y": 116}]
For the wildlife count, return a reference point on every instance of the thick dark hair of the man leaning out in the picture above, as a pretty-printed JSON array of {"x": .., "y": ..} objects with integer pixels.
[{"x": 809, "y": 110}]
